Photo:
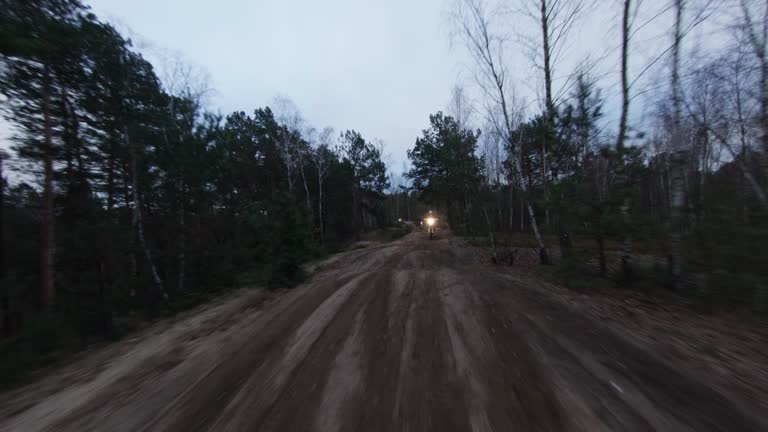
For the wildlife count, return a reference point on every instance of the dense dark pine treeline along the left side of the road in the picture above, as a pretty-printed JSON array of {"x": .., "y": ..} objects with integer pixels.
[{"x": 132, "y": 199}]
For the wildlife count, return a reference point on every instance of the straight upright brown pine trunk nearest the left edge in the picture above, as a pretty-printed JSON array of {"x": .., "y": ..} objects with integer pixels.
[{"x": 48, "y": 241}]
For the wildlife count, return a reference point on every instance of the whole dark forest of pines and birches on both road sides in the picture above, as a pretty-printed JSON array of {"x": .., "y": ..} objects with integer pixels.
[{"x": 125, "y": 197}]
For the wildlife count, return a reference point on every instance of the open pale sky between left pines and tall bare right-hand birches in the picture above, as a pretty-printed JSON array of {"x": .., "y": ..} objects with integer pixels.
[{"x": 380, "y": 67}]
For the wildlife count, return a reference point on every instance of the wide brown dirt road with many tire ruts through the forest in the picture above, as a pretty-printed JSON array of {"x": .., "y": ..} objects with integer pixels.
[{"x": 405, "y": 336}]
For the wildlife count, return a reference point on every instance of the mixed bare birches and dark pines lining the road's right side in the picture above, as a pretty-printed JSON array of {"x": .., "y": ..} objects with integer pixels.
[{"x": 679, "y": 199}]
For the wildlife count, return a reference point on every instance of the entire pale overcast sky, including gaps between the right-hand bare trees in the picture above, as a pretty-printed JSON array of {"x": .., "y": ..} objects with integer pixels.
[{"x": 380, "y": 67}]
